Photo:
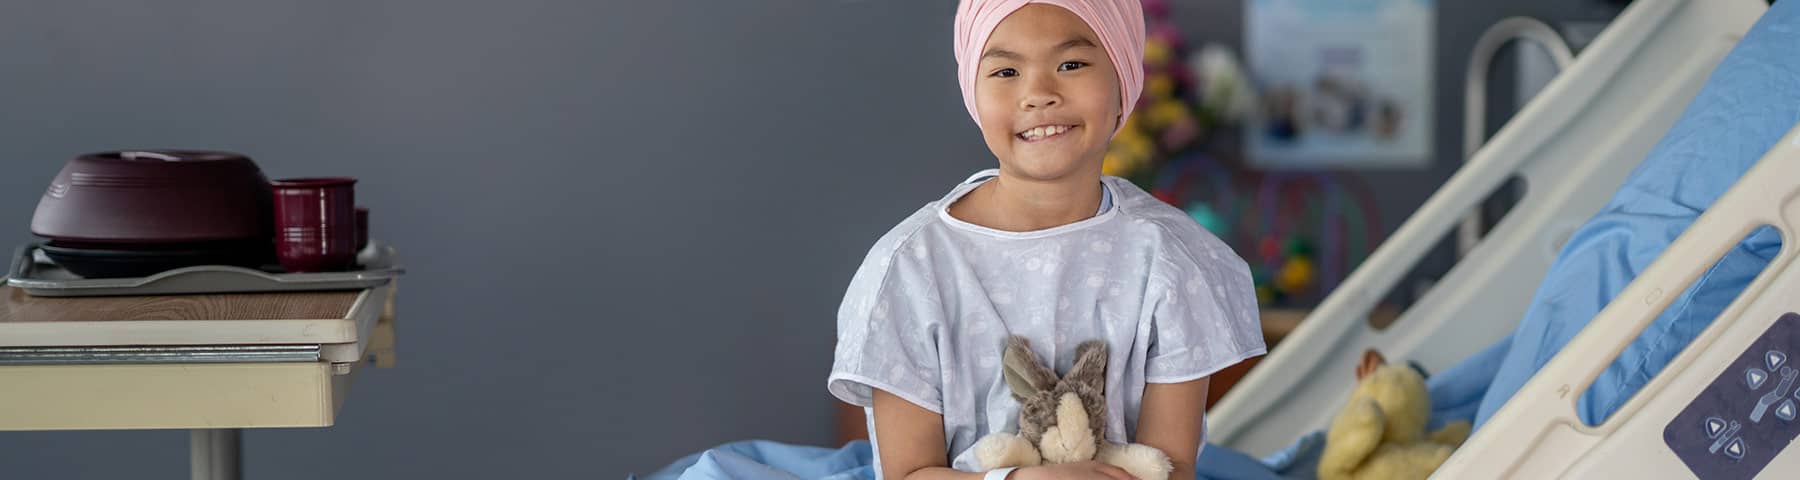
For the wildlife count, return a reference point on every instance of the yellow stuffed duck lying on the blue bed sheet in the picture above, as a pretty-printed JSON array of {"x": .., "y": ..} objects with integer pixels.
[{"x": 1381, "y": 432}]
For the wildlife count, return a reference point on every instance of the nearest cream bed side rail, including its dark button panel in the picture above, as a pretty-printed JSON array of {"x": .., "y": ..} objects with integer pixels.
[{"x": 1718, "y": 404}]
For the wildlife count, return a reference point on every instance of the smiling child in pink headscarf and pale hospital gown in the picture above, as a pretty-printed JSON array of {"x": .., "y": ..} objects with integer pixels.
[{"x": 1048, "y": 249}]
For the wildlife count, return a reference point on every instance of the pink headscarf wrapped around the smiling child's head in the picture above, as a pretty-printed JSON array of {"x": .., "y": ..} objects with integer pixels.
[{"x": 1117, "y": 22}]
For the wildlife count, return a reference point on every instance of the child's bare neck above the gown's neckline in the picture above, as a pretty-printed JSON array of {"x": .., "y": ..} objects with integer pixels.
[{"x": 1012, "y": 204}]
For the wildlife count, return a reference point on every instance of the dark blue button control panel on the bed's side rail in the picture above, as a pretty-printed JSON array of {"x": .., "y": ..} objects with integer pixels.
[{"x": 1749, "y": 414}]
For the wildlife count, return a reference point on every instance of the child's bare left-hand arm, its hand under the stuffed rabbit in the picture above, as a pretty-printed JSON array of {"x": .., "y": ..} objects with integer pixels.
[{"x": 912, "y": 441}]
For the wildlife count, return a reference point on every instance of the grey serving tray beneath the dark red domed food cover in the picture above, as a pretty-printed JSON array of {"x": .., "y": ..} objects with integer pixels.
[{"x": 39, "y": 276}]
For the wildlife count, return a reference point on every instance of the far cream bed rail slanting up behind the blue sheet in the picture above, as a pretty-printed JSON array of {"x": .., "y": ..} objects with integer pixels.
[{"x": 1572, "y": 145}]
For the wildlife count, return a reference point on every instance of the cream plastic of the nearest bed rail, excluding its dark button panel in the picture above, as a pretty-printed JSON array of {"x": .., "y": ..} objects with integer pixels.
[{"x": 1540, "y": 436}]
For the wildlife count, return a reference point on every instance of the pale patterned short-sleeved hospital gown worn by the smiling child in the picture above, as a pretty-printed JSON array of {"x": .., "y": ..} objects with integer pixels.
[{"x": 931, "y": 305}]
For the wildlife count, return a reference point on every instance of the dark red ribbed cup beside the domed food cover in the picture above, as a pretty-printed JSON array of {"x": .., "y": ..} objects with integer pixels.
[{"x": 316, "y": 224}]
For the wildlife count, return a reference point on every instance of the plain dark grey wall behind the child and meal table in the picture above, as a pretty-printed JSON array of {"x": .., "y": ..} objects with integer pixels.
[{"x": 627, "y": 224}]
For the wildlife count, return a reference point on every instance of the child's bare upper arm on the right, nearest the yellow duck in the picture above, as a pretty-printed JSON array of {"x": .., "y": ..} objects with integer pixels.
[{"x": 1171, "y": 420}]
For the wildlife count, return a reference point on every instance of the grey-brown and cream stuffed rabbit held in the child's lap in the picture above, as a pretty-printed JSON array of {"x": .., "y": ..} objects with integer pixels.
[{"x": 1063, "y": 420}]
